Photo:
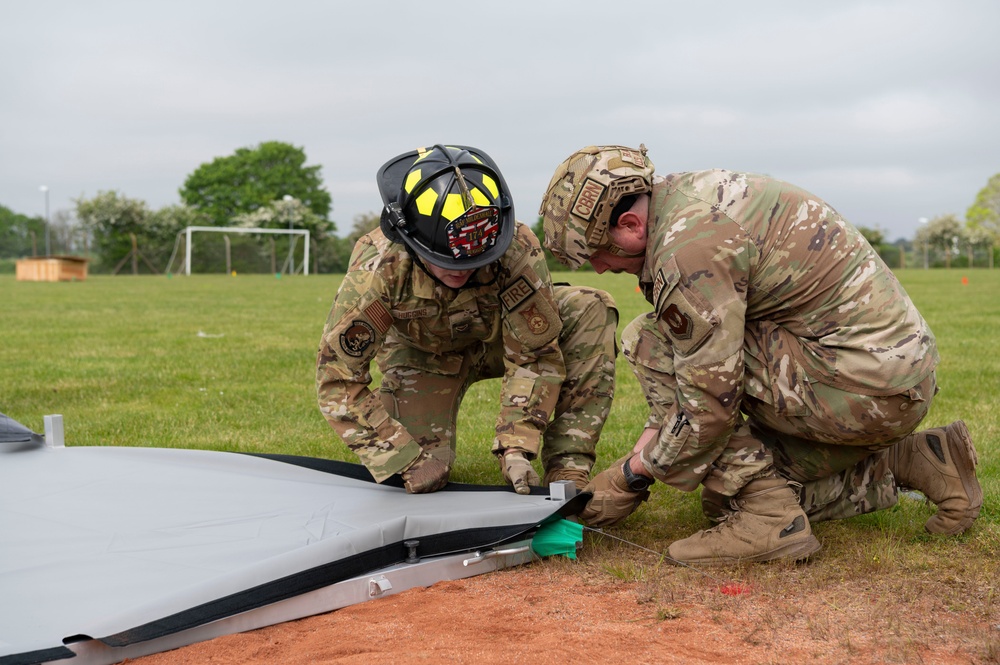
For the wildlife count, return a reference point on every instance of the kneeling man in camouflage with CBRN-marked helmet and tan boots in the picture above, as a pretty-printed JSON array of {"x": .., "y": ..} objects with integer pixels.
[{"x": 780, "y": 348}]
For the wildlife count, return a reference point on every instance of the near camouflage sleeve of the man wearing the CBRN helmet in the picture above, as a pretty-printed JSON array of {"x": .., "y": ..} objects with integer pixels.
[{"x": 699, "y": 294}]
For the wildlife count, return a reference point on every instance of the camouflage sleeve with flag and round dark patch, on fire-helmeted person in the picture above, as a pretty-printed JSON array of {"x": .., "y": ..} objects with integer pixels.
[{"x": 355, "y": 330}]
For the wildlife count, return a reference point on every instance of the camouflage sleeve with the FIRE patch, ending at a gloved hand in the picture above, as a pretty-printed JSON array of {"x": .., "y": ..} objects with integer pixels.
[{"x": 533, "y": 363}]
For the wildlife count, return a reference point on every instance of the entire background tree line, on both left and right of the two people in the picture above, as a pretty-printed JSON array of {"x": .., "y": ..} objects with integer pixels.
[{"x": 271, "y": 186}]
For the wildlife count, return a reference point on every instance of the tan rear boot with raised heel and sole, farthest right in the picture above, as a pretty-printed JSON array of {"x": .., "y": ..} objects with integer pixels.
[{"x": 941, "y": 463}]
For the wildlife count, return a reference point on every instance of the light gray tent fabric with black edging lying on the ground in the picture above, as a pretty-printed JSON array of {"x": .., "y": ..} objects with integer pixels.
[{"x": 124, "y": 545}]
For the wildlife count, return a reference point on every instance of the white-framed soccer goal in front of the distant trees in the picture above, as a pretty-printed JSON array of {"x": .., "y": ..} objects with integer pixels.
[{"x": 281, "y": 251}]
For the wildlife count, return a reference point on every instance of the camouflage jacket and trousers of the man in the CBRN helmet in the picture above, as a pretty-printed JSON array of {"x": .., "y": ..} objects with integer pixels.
[{"x": 778, "y": 336}]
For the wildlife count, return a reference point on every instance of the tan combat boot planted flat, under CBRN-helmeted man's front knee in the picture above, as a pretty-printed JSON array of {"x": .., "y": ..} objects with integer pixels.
[{"x": 767, "y": 523}]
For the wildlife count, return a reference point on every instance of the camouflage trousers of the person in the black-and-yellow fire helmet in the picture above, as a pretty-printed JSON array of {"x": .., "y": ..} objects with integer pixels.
[{"x": 425, "y": 398}]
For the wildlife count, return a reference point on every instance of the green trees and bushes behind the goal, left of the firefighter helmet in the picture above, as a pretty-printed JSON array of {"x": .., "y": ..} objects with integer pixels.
[{"x": 268, "y": 186}]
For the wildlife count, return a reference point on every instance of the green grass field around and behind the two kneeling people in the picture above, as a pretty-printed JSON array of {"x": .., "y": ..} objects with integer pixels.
[{"x": 227, "y": 363}]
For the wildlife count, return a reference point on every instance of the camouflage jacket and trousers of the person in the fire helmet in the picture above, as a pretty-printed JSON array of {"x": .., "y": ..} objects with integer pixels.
[{"x": 554, "y": 346}]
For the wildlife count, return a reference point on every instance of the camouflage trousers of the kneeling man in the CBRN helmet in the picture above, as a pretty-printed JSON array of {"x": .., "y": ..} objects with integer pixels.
[{"x": 833, "y": 441}]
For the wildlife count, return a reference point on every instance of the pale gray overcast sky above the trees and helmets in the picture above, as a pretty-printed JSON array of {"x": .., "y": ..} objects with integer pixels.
[{"x": 889, "y": 110}]
